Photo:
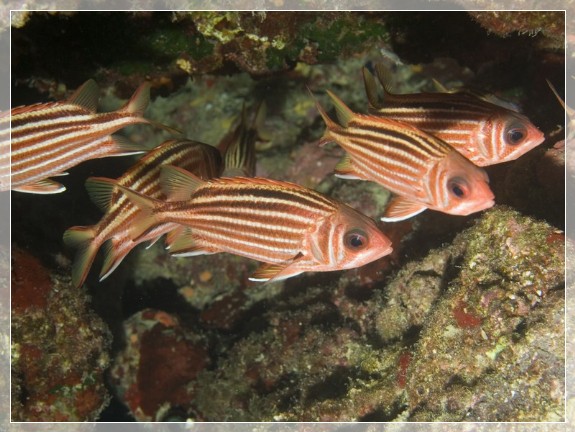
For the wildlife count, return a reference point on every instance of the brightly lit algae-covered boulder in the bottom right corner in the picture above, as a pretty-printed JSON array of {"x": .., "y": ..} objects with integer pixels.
[{"x": 492, "y": 348}]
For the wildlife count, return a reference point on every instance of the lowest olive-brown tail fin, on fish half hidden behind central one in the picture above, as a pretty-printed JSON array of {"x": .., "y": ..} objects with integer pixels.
[{"x": 81, "y": 238}]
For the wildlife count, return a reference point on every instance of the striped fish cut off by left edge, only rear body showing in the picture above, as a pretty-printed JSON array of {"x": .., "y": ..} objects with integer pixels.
[{"x": 45, "y": 140}]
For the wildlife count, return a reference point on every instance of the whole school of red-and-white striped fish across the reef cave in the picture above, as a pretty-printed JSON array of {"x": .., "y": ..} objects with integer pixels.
[{"x": 428, "y": 149}]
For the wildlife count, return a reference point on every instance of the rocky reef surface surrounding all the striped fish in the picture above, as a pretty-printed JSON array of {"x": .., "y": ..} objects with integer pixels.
[{"x": 463, "y": 322}]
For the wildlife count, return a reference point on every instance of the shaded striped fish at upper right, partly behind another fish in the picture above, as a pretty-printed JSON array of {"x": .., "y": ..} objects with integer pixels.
[{"x": 485, "y": 133}]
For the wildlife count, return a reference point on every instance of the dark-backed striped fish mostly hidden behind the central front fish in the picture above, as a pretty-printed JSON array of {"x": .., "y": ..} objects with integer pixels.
[{"x": 113, "y": 229}]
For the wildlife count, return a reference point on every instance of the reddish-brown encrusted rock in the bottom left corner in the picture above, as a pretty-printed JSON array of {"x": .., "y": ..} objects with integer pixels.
[{"x": 59, "y": 347}]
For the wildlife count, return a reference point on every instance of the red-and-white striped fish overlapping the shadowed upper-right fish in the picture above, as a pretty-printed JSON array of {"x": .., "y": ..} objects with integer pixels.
[{"x": 422, "y": 170}]
